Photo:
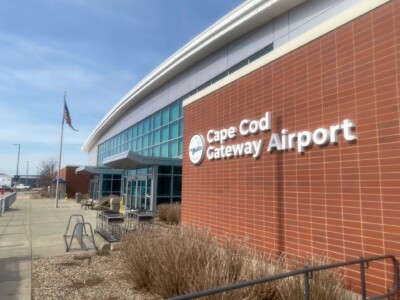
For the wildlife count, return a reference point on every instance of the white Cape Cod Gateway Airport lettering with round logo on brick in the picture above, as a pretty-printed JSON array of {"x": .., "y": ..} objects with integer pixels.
[{"x": 285, "y": 140}]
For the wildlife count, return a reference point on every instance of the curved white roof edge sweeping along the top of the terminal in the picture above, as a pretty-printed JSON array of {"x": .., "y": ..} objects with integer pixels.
[{"x": 238, "y": 22}]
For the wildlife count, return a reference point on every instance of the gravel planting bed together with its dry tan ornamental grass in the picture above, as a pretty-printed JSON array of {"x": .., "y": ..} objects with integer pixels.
[{"x": 158, "y": 262}]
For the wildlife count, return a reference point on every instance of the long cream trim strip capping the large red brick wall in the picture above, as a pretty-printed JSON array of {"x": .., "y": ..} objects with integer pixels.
[{"x": 338, "y": 20}]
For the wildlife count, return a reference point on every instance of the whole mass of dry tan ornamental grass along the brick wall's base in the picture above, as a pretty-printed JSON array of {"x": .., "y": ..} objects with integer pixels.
[{"x": 184, "y": 260}]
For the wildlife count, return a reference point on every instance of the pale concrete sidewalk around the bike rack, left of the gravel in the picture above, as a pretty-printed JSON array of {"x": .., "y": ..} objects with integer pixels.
[{"x": 33, "y": 228}]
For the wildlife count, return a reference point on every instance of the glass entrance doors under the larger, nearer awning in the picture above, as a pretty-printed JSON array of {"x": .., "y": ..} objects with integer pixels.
[{"x": 138, "y": 192}]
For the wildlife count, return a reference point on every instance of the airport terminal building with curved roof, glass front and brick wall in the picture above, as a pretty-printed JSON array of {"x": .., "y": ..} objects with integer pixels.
[{"x": 279, "y": 123}]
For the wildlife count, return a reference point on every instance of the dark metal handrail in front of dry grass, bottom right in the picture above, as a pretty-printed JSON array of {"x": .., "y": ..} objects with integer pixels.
[{"x": 361, "y": 261}]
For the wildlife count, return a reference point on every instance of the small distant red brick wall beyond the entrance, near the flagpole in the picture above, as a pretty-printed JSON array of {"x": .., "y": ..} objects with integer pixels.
[{"x": 75, "y": 182}]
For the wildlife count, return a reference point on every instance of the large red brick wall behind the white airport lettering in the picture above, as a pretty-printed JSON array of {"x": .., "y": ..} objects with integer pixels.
[{"x": 340, "y": 201}]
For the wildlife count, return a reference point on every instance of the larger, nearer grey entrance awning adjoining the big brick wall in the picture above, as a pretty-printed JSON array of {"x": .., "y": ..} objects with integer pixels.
[{"x": 133, "y": 160}]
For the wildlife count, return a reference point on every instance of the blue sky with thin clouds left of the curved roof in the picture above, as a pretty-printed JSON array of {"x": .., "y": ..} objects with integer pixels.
[{"x": 94, "y": 50}]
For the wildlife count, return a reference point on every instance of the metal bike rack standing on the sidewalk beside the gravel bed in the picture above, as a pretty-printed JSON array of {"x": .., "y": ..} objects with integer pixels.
[{"x": 80, "y": 233}]
